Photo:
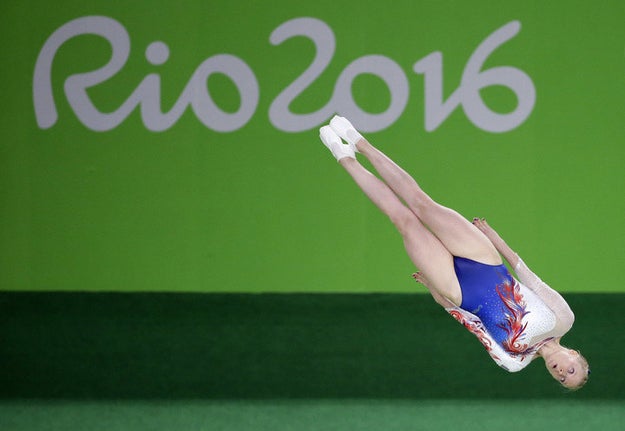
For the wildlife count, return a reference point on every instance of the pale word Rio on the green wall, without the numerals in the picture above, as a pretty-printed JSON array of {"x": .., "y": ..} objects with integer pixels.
[{"x": 147, "y": 95}]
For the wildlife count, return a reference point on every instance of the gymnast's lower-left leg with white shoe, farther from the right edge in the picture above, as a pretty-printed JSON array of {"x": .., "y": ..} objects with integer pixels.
[{"x": 424, "y": 249}]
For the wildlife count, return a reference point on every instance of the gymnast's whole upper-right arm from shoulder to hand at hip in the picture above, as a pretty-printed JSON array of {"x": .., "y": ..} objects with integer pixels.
[{"x": 550, "y": 297}]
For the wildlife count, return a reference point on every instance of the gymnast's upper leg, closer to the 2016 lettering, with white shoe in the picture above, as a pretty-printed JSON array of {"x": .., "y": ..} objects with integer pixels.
[{"x": 456, "y": 233}]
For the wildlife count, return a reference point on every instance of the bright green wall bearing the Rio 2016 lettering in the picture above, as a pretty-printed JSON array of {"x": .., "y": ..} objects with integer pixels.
[{"x": 239, "y": 198}]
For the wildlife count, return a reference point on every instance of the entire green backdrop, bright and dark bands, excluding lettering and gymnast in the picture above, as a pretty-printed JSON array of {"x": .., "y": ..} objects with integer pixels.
[{"x": 158, "y": 239}]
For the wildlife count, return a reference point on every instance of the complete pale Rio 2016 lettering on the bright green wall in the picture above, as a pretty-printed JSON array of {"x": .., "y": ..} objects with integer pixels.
[{"x": 196, "y": 94}]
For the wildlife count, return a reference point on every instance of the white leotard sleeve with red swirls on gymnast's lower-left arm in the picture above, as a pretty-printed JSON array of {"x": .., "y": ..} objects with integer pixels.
[{"x": 505, "y": 360}]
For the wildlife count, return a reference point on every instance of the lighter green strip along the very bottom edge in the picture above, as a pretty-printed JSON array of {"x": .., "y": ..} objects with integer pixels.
[{"x": 314, "y": 415}]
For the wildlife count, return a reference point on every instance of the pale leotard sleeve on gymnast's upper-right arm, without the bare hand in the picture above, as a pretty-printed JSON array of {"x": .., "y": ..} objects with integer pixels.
[{"x": 564, "y": 314}]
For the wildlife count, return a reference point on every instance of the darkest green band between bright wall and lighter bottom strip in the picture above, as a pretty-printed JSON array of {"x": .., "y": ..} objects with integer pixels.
[{"x": 177, "y": 346}]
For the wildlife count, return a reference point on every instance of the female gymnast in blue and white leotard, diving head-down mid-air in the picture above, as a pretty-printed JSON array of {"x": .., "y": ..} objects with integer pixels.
[{"x": 461, "y": 265}]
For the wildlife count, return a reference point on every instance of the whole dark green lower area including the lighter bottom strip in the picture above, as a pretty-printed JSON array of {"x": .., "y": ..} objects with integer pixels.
[{"x": 80, "y": 361}]
